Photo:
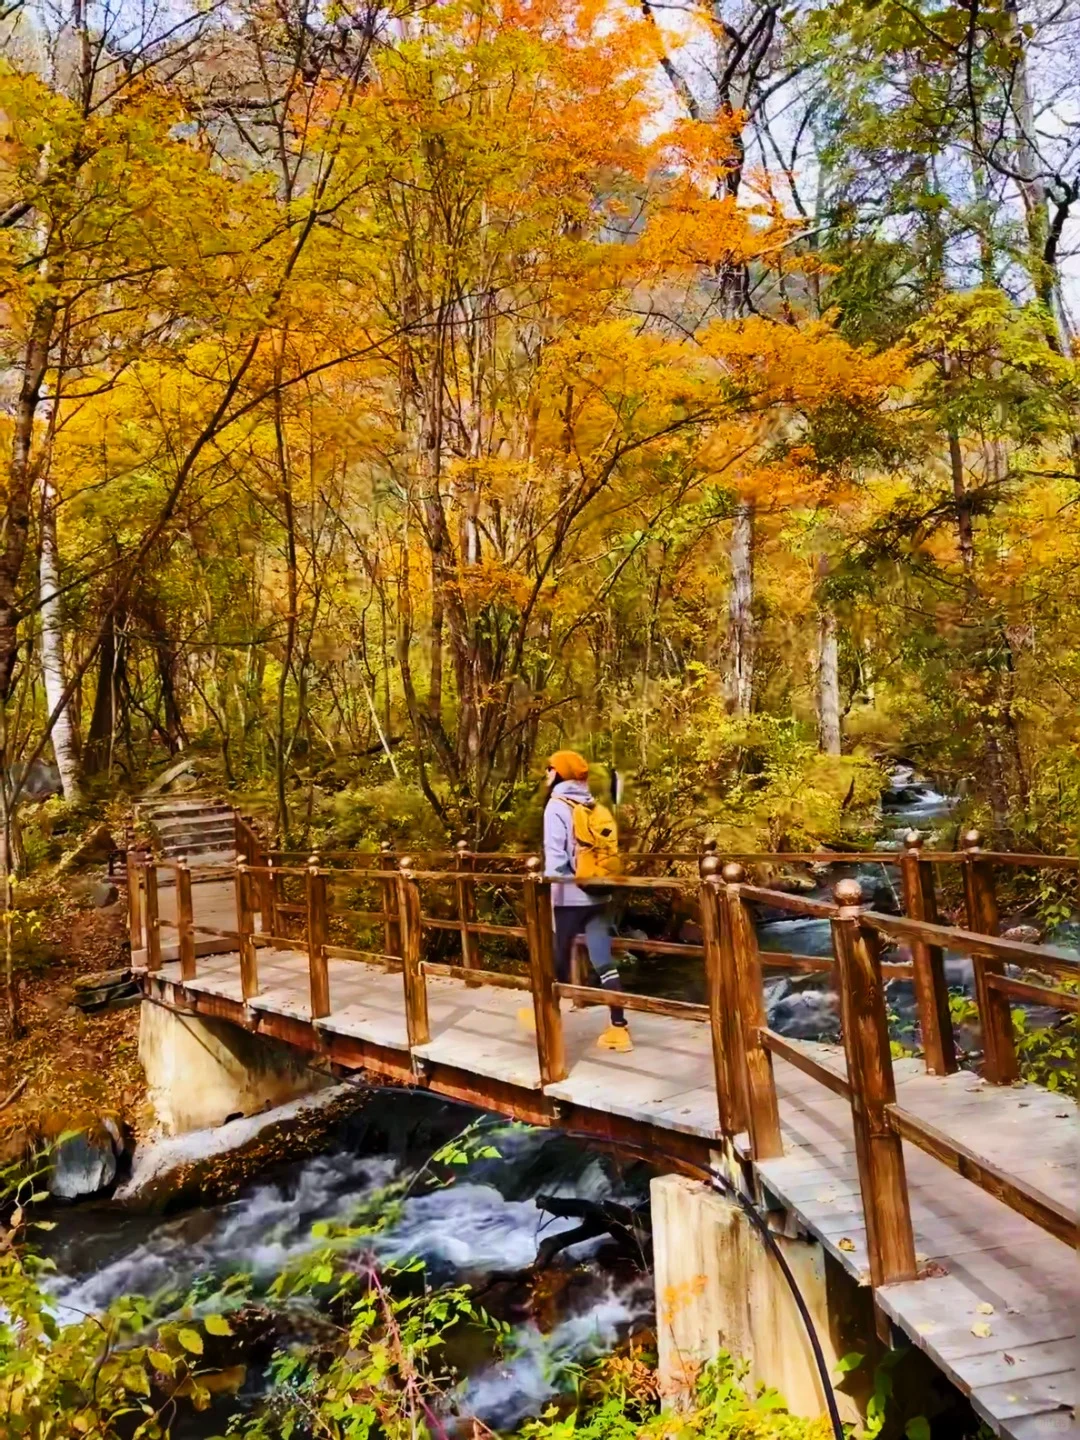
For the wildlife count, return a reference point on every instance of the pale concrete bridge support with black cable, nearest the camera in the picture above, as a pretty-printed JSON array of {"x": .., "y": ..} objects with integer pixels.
[{"x": 719, "y": 1288}]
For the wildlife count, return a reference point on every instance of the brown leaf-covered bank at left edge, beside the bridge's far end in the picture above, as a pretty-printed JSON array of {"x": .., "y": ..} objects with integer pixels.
[{"x": 70, "y": 1069}]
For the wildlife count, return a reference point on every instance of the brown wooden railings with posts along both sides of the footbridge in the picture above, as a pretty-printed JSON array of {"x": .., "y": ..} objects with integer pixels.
[{"x": 413, "y": 909}]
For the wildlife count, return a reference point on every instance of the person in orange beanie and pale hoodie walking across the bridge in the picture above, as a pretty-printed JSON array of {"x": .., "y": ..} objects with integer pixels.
[{"x": 577, "y": 911}]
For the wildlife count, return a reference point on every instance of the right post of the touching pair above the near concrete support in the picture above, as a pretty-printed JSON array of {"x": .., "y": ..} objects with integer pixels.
[{"x": 764, "y": 1114}]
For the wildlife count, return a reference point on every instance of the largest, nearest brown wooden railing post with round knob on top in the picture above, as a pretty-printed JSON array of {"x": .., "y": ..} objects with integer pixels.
[{"x": 879, "y": 1150}]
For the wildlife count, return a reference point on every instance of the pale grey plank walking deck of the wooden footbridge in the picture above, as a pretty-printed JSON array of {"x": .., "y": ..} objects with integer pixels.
[{"x": 1022, "y": 1376}]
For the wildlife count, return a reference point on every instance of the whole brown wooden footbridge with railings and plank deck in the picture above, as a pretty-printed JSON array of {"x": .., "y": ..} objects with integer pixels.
[{"x": 953, "y": 1194}]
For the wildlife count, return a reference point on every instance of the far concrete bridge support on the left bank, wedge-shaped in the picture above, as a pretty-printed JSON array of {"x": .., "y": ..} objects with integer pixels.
[{"x": 202, "y": 1072}]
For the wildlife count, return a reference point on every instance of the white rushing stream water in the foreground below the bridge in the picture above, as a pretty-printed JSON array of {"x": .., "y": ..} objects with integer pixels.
[{"x": 483, "y": 1229}]
